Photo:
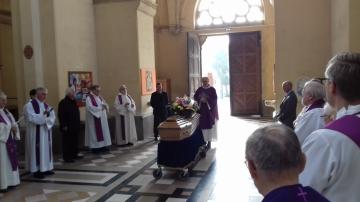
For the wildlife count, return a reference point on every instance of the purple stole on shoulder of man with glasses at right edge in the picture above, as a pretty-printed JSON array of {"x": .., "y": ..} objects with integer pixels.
[{"x": 348, "y": 125}]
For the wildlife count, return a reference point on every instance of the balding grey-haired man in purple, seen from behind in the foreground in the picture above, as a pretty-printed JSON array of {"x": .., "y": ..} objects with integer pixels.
[{"x": 275, "y": 160}]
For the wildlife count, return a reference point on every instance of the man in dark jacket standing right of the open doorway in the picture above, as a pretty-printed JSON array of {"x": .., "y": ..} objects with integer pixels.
[{"x": 287, "y": 113}]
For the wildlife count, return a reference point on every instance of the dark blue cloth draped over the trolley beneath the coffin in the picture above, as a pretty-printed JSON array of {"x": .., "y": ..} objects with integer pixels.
[{"x": 179, "y": 154}]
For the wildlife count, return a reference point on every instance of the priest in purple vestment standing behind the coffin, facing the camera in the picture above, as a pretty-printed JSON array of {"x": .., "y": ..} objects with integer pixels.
[{"x": 206, "y": 97}]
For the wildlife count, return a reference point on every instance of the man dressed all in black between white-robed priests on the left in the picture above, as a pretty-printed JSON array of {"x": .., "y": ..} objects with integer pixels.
[{"x": 69, "y": 117}]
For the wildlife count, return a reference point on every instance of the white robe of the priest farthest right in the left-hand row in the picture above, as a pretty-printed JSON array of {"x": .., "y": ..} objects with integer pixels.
[{"x": 125, "y": 121}]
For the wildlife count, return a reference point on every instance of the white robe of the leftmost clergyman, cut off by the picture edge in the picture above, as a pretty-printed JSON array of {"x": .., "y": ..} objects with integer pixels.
[{"x": 8, "y": 177}]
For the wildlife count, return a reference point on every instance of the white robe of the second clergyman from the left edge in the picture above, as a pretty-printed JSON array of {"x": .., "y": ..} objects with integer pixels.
[{"x": 45, "y": 145}]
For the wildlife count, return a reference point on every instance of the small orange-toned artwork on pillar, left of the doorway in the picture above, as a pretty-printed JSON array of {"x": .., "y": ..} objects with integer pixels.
[{"x": 148, "y": 81}]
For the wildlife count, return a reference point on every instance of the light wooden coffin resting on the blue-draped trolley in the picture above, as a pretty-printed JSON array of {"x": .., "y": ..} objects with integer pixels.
[{"x": 176, "y": 128}]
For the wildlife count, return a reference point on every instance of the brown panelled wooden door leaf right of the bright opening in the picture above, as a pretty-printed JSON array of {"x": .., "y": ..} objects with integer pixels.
[{"x": 245, "y": 73}]
